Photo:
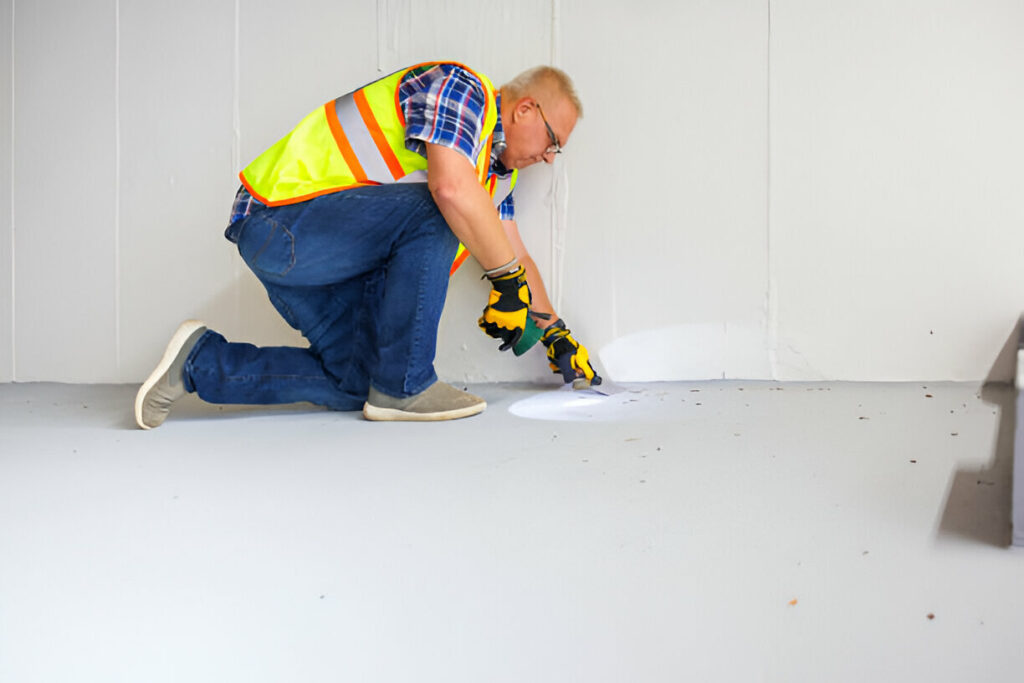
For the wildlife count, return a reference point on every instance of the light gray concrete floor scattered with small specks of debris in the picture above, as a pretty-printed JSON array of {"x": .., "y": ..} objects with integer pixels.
[{"x": 682, "y": 532}]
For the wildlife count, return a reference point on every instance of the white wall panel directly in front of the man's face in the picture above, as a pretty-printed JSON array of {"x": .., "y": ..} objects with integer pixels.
[{"x": 666, "y": 261}]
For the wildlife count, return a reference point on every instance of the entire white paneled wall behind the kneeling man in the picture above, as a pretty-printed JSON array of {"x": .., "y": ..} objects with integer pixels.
[{"x": 793, "y": 190}]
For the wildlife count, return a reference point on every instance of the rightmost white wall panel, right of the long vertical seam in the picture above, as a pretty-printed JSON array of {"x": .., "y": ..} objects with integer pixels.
[{"x": 898, "y": 172}]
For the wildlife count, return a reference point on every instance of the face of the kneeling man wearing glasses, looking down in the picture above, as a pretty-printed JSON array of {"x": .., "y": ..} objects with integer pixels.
[{"x": 527, "y": 137}]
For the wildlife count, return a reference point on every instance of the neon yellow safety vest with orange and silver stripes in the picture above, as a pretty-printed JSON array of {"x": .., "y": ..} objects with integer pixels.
[{"x": 359, "y": 140}]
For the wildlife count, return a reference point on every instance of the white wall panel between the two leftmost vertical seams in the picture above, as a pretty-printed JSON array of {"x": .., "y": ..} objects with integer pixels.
[{"x": 65, "y": 173}]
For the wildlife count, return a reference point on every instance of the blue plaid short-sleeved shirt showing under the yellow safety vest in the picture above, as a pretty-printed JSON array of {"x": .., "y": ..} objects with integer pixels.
[{"x": 444, "y": 105}]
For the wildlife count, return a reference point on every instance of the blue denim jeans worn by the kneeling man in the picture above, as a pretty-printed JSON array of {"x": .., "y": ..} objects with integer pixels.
[{"x": 363, "y": 275}]
